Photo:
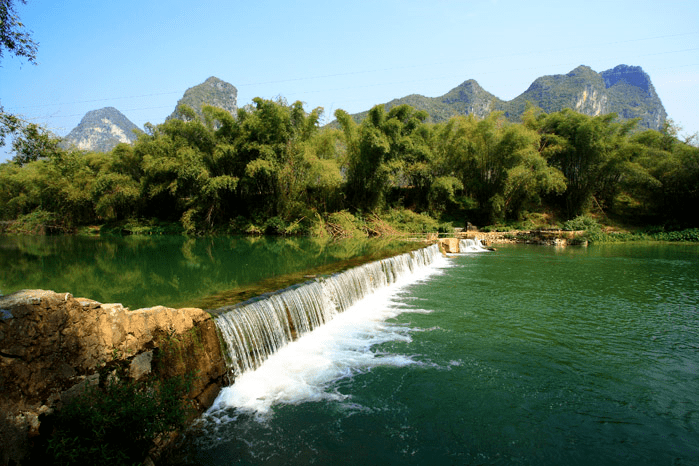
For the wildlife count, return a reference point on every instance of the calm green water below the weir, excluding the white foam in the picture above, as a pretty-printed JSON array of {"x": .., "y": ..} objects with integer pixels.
[{"x": 530, "y": 355}]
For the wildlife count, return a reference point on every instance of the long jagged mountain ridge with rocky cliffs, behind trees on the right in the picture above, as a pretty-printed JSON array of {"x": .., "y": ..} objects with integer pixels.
[{"x": 624, "y": 90}]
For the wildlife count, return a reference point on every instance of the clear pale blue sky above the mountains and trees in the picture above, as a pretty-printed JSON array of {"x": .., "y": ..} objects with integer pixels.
[{"x": 140, "y": 56}]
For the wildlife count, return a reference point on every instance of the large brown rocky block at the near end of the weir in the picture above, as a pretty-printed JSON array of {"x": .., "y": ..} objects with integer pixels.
[{"x": 52, "y": 345}]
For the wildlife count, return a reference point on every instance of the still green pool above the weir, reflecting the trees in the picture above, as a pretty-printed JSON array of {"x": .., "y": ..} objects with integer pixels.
[{"x": 144, "y": 271}]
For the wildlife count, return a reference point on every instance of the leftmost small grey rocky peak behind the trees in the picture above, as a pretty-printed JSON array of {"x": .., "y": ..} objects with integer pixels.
[{"x": 101, "y": 130}]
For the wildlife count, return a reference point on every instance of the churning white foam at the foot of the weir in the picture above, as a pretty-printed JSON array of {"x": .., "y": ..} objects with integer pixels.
[{"x": 303, "y": 370}]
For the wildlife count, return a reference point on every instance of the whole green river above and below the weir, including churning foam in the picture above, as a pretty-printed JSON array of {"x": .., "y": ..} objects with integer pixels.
[{"x": 528, "y": 355}]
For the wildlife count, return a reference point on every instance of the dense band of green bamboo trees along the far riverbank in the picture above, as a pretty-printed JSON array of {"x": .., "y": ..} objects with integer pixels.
[{"x": 271, "y": 169}]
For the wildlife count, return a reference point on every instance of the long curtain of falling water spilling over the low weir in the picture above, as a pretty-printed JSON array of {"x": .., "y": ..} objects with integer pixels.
[{"x": 254, "y": 330}]
